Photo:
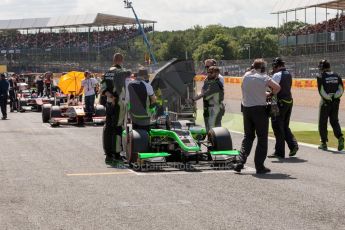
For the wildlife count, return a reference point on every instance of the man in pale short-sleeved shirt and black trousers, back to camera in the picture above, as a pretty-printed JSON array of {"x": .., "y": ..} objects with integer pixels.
[{"x": 255, "y": 115}]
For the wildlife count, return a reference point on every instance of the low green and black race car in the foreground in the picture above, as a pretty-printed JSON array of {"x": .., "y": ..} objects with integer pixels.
[{"x": 179, "y": 146}]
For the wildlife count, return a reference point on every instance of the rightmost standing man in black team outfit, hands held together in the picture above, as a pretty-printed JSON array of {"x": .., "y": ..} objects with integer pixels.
[{"x": 331, "y": 88}]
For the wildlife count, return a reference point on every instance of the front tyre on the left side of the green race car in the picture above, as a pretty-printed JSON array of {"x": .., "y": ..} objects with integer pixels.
[{"x": 138, "y": 142}]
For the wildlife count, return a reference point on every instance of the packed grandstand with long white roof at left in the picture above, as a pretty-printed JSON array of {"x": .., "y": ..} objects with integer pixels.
[{"x": 67, "y": 42}]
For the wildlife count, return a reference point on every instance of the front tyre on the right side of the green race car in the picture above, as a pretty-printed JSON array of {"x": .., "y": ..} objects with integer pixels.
[{"x": 220, "y": 139}]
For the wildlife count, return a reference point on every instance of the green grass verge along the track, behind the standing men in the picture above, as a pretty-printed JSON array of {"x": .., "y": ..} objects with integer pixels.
[{"x": 304, "y": 132}]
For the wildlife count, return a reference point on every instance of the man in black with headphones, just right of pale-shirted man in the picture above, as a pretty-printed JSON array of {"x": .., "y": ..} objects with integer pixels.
[{"x": 280, "y": 123}]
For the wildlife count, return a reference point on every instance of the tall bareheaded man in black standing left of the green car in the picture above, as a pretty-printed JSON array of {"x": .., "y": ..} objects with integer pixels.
[{"x": 114, "y": 87}]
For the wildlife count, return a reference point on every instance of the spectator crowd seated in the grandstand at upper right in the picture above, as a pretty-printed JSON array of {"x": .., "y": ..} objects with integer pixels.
[{"x": 334, "y": 24}]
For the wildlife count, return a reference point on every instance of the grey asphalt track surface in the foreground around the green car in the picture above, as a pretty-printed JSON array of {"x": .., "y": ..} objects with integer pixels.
[{"x": 57, "y": 179}]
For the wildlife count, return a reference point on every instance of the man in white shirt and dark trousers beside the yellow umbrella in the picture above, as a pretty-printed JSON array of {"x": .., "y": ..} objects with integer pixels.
[{"x": 88, "y": 86}]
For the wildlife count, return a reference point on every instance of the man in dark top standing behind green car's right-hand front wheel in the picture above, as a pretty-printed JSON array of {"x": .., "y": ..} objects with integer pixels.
[{"x": 212, "y": 93}]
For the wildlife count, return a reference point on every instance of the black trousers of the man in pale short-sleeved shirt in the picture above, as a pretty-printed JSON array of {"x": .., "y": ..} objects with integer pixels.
[{"x": 255, "y": 121}]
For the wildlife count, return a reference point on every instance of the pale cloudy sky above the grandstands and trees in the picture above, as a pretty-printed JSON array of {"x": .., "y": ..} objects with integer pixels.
[{"x": 170, "y": 14}]
